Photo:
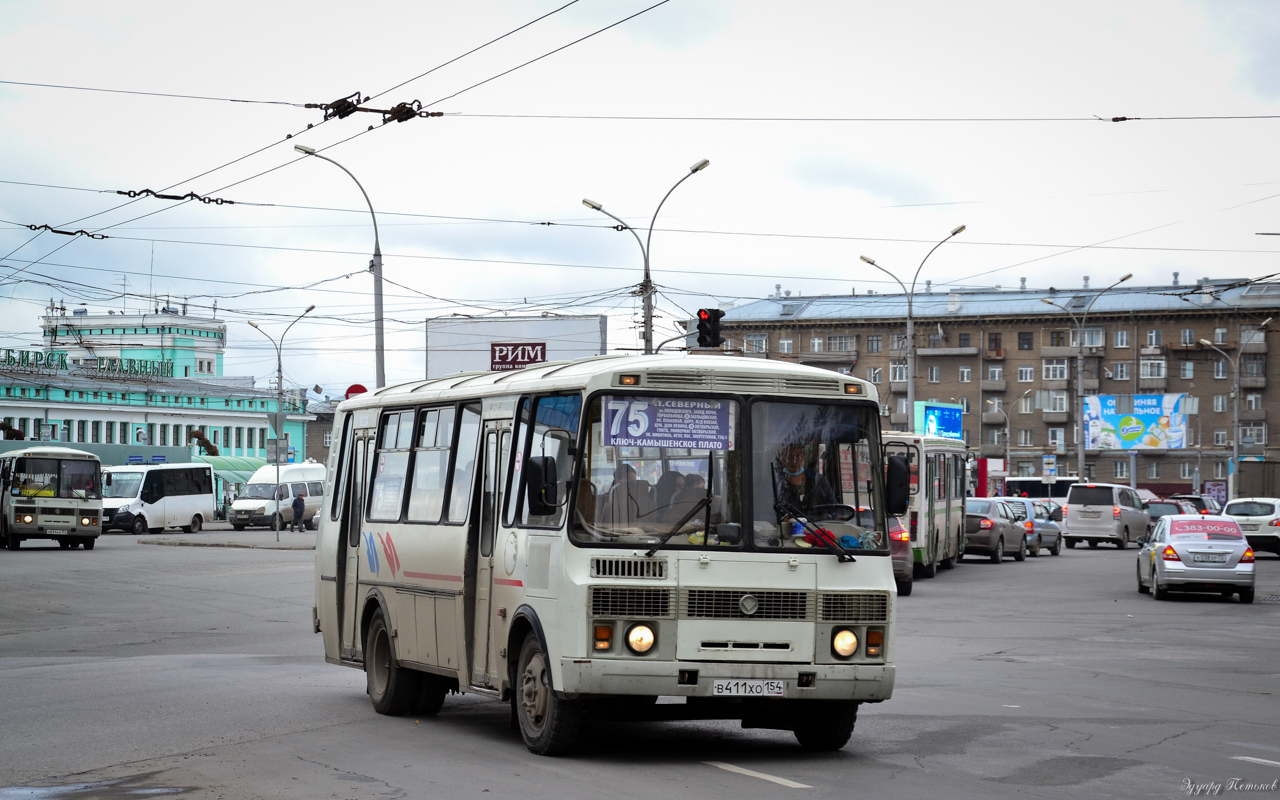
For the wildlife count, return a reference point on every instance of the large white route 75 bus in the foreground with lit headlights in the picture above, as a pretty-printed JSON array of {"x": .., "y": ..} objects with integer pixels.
[{"x": 596, "y": 534}]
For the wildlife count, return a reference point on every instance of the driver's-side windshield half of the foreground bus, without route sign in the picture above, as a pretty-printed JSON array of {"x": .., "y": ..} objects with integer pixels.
[{"x": 815, "y": 464}]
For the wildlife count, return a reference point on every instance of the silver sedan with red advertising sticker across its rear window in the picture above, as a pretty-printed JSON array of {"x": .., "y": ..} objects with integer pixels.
[{"x": 1196, "y": 554}]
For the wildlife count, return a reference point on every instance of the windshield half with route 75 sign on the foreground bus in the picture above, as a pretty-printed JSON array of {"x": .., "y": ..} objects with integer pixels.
[{"x": 653, "y": 461}]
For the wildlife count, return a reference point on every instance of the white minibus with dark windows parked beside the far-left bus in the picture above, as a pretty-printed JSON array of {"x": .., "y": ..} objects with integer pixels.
[{"x": 153, "y": 497}]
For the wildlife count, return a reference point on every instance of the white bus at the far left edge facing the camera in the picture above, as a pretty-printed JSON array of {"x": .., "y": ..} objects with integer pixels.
[{"x": 51, "y": 493}]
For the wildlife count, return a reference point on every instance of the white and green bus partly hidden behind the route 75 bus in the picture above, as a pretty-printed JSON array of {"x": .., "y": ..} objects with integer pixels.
[{"x": 936, "y": 509}]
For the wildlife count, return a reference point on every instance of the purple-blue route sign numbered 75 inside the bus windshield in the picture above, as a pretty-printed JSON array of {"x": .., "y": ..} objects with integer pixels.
[{"x": 668, "y": 422}]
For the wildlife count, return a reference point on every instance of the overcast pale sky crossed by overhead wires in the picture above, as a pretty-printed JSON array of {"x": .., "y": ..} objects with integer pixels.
[{"x": 889, "y": 126}]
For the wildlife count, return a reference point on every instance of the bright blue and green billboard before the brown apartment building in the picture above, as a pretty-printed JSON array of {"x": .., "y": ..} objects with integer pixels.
[{"x": 1155, "y": 423}]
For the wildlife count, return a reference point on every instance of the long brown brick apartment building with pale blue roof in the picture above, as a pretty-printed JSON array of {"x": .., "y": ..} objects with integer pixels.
[{"x": 1009, "y": 358}]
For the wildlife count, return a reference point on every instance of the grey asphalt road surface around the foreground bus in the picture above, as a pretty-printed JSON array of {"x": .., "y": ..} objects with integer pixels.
[{"x": 184, "y": 671}]
